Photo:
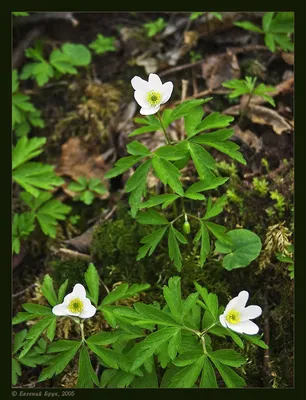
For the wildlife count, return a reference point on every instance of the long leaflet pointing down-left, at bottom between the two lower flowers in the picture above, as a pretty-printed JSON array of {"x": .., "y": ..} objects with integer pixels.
[{"x": 147, "y": 347}]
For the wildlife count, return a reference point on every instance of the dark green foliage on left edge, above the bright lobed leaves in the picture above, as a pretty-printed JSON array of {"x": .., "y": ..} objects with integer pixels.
[{"x": 24, "y": 113}]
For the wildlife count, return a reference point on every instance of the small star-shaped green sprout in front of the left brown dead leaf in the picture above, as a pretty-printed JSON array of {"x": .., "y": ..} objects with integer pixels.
[{"x": 87, "y": 189}]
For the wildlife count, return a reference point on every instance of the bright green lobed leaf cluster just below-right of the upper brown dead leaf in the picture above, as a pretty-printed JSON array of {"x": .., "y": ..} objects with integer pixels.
[{"x": 247, "y": 86}]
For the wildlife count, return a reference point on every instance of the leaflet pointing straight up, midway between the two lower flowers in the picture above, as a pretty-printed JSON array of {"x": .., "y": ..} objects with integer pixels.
[{"x": 173, "y": 297}]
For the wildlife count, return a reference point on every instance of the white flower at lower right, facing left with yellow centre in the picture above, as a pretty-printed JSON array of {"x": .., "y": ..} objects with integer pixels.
[{"x": 237, "y": 317}]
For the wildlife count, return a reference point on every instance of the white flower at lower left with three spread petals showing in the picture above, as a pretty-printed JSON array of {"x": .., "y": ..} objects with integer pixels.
[{"x": 75, "y": 304}]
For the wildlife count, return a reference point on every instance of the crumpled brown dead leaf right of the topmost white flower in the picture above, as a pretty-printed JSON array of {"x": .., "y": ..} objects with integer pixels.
[{"x": 219, "y": 68}]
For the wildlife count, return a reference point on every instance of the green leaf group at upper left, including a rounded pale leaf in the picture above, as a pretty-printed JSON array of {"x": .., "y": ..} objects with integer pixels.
[{"x": 61, "y": 61}]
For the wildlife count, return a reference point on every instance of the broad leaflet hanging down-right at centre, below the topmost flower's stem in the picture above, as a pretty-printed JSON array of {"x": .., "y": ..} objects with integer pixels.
[{"x": 168, "y": 174}]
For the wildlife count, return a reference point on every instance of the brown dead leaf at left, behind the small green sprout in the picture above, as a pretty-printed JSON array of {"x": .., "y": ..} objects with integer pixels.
[{"x": 78, "y": 160}]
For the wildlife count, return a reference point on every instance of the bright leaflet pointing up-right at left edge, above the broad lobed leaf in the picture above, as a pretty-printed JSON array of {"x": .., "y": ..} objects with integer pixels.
[{"x": 26, "y": 149}]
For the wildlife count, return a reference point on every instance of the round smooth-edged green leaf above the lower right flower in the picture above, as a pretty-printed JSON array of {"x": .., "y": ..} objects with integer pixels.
[{"x": 245, "y": 248}]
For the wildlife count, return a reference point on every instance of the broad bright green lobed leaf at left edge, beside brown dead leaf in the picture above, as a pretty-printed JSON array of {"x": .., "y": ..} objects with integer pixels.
[{"x": 33, "y": 176}]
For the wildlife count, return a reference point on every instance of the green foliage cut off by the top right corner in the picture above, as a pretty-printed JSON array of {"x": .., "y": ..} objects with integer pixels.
[{"x": 277, "y": 28}]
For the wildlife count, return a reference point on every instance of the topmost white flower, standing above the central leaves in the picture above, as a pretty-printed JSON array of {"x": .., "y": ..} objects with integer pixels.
[{"x": 150, "y": 95}]
